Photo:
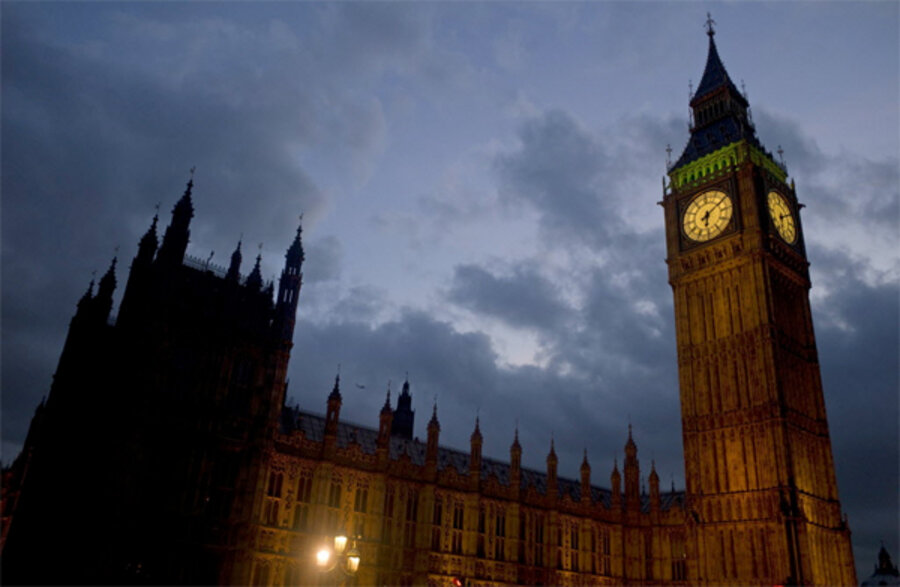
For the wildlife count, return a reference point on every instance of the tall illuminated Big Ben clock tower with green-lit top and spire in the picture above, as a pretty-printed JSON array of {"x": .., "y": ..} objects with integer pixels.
[{"x": 762, "y": 497}]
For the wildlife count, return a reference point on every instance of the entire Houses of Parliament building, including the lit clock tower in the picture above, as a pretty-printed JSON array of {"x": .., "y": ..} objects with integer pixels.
[{"x": 165, "y": 454}]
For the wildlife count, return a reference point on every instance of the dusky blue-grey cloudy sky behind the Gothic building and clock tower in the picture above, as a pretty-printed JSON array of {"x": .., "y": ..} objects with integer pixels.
[{"x": 479, "y": 183}]
